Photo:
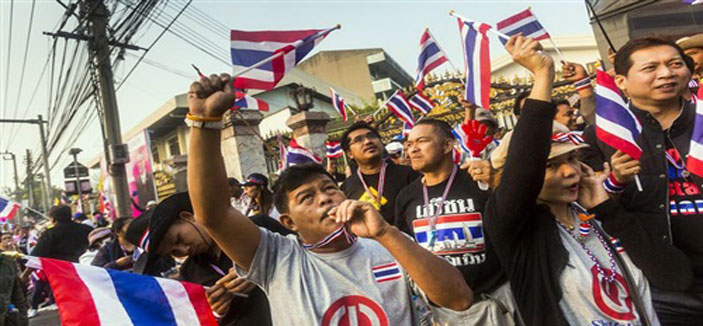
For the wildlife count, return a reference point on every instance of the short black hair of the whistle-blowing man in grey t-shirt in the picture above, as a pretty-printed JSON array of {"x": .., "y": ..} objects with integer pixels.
[{"x": 293, "y": 177}]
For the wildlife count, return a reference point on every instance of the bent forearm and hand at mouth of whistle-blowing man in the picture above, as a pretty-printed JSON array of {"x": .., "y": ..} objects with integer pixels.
[{"x": 442, "y": 283}]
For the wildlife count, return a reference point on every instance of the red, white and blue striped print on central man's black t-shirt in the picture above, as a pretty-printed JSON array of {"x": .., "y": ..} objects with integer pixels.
[{"x": 453, "y": 234}]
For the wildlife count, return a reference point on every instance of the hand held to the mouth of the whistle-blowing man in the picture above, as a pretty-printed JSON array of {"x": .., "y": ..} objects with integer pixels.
[{"x": 361, "y": 217}]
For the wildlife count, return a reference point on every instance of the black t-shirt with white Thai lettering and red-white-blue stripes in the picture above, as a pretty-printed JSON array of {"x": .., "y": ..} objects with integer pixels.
[{"x": 459, "y": 235}]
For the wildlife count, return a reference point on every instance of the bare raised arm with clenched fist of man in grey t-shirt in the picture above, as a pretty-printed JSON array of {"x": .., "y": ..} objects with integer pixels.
[{"x": 236, "y": 235}]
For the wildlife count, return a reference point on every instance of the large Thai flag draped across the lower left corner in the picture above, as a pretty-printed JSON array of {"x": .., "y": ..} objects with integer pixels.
[{"x": 89, "y": 296}]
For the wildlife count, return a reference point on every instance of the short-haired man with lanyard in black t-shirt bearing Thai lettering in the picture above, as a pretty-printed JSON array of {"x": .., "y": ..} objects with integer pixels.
[{"x": 443, "y": 209}]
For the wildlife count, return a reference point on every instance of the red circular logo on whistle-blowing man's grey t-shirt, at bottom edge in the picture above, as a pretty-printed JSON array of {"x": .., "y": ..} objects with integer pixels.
[{"x": 354, "y": 310}]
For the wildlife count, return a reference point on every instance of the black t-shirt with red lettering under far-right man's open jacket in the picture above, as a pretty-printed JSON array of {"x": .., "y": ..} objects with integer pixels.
[{"x": 686, "y": 211}]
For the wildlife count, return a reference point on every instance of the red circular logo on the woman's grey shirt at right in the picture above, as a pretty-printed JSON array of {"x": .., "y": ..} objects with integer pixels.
[{"x": 613, "y": 299}]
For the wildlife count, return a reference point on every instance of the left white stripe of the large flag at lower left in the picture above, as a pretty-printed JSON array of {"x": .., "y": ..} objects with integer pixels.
[{"x": 107, "y": 303}]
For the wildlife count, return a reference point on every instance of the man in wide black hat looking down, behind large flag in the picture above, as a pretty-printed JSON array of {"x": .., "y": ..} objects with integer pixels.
[{"x": 170, "y": 230}]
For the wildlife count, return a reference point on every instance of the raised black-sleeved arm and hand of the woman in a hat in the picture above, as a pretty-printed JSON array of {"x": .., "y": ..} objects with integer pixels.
[{"x": 524, "y": 168}]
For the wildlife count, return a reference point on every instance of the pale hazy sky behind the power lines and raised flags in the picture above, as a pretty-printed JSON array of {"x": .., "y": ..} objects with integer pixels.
[{"x": 395, "y": 26}]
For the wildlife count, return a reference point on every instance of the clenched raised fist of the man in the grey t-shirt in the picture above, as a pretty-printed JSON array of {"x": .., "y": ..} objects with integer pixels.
[{"x": 211, "y": 96}]
